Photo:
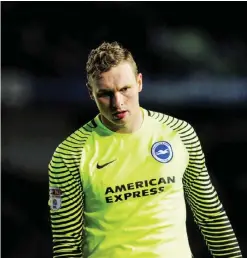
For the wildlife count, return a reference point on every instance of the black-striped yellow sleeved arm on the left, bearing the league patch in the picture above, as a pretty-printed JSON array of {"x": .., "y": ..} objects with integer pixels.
[{"x": 66, "y": 204}]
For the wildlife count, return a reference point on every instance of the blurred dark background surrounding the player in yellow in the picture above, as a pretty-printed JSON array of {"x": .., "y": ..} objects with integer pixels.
[{"x": 193, "y": 56}]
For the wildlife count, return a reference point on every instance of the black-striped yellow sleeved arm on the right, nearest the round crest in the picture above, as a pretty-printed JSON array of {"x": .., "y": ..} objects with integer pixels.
[{"x": 203, "y": 200}]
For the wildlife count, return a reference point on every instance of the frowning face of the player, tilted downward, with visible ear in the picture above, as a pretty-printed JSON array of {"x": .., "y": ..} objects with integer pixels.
[{"x": 116, "y": 95}]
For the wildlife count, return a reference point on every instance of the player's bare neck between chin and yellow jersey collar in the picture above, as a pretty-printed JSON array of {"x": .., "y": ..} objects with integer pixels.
[{"x": 131, "y": 127}]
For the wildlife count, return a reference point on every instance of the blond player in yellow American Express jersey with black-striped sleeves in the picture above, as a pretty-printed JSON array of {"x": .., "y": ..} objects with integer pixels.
[{"x": 117, "y": 184}]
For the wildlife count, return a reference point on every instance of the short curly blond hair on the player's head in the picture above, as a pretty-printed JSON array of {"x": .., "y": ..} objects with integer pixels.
[{"x": 106, "y": 56}]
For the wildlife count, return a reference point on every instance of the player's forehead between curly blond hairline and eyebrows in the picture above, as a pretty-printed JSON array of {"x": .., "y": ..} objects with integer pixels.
[{"x": 120, "y": 75}]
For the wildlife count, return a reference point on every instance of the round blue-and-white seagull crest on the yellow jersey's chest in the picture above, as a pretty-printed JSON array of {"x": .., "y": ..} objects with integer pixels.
[{"x": 162, "y": 151}]
